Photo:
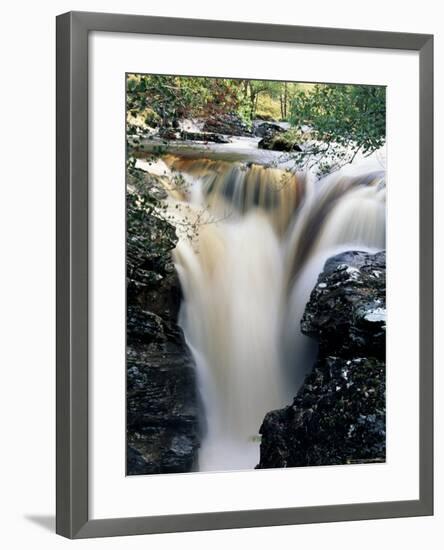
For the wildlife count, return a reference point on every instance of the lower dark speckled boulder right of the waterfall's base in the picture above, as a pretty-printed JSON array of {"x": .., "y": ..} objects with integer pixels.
[{"x": 338, "y": 417}]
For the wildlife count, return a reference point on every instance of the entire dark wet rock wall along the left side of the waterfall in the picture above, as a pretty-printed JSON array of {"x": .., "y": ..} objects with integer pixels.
[{"x": 162, "y": 402}]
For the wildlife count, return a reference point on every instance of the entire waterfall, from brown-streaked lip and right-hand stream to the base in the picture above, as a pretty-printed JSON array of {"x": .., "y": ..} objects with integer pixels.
[{"x": 246, "y": 278}]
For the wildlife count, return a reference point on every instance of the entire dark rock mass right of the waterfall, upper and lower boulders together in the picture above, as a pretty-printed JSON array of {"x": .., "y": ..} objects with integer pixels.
[{"x": 338, "y": 415}]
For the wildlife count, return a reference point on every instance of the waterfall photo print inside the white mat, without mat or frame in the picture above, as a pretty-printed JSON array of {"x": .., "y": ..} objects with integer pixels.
[{"x": 256, "y": 307}]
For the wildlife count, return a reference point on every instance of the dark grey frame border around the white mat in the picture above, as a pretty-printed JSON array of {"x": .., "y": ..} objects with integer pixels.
[{"x": 72, "y": 273}]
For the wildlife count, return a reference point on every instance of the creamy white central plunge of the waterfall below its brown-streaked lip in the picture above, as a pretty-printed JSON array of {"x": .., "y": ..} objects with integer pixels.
[{"x": 231, "y": 318}]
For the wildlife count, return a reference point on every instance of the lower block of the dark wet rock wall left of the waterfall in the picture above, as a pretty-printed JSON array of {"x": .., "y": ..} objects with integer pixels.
[{"x": 162, "y": 407}]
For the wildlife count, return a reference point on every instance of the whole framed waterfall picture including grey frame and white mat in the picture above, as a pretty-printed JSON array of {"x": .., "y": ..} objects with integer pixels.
[{"x": 244, "y": 275}]
